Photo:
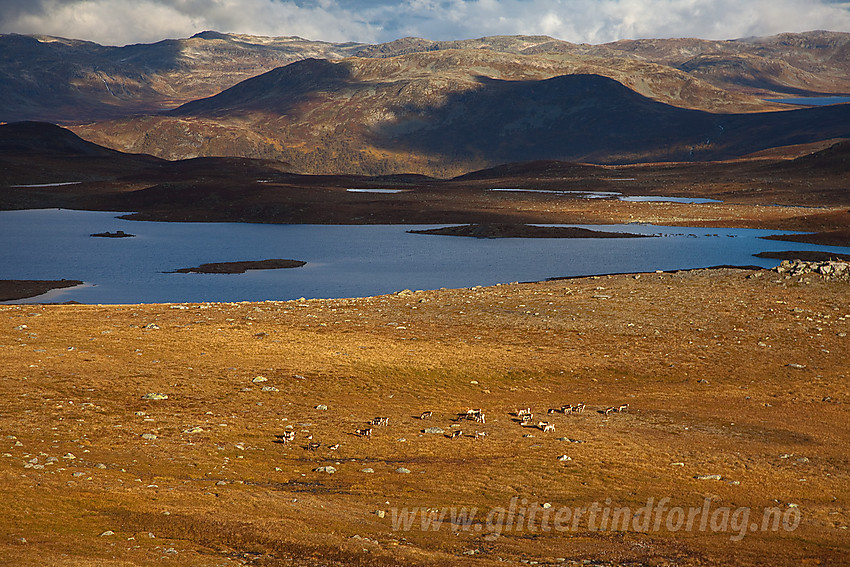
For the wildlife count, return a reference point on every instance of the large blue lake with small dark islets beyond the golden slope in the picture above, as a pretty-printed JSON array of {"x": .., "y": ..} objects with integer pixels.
[{"x": 342, "y": 260}]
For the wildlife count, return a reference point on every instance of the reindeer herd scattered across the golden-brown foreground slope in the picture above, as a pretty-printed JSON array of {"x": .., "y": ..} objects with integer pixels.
[{"x": 523, "y": 416}]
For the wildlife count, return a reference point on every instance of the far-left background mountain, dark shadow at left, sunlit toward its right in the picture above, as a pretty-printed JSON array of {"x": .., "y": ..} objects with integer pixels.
[{"x": 65, "y": 80}]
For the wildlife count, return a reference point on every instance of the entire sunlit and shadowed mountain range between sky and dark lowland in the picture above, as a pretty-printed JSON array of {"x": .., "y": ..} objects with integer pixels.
[{"x": 438, "y": 108}]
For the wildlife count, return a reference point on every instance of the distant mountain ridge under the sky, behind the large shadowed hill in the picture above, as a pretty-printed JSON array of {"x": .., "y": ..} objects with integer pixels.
[{"x": 66, "y": 80}]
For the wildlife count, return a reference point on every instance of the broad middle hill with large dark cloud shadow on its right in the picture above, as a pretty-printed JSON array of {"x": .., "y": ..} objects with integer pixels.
[{"x": 448, "y": 112}]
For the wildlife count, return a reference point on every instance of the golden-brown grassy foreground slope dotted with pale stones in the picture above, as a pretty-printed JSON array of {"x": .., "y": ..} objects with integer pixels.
[{"x": 726, "y": 372}]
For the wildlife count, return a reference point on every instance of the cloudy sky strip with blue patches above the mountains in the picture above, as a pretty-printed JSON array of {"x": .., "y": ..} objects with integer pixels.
[{"x": 121, "y": 22}]
